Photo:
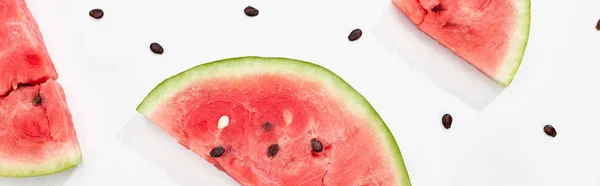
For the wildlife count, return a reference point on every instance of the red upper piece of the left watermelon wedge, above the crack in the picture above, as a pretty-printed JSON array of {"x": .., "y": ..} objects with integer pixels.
[{"x": 23, "y": 55}]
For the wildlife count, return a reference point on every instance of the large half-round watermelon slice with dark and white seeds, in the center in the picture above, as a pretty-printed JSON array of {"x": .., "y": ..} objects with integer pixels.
[{"x": 277, "y": 121}]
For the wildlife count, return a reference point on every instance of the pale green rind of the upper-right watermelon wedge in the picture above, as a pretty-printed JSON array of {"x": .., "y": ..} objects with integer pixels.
[{"x": 508, "y": 71}]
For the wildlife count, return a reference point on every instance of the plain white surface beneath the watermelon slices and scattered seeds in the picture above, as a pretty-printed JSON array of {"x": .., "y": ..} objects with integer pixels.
[{"x": 496, "y": 139}]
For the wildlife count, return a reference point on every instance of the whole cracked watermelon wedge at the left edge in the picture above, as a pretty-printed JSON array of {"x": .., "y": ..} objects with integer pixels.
[{"x": 37, "y": 136}]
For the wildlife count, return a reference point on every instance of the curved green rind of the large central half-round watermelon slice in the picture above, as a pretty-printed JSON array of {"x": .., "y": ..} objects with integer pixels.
[{"x": 232, "y": 67}]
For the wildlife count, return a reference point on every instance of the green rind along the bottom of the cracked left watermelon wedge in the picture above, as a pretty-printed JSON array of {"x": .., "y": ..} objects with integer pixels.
[{"x": 59, "y": 163}]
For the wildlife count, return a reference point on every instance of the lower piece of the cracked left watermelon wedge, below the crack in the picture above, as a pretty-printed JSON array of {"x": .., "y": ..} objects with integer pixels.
[{"x": 36, "y": 139}]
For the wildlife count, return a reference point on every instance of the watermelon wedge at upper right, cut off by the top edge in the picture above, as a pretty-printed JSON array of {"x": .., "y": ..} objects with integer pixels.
[{"x": 489, "y": 34}]
